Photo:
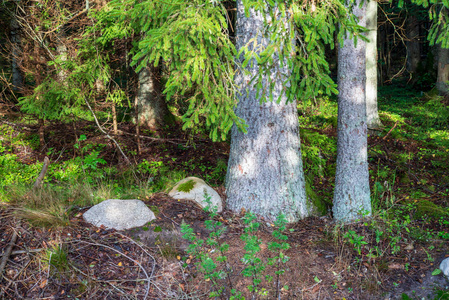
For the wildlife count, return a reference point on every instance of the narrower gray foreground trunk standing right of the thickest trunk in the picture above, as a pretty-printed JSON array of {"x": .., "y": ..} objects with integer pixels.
[{"x": 352, "y": 193}]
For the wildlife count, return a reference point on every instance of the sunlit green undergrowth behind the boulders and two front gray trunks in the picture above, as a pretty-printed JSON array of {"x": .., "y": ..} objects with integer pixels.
[{"x": 408, "y": 159}]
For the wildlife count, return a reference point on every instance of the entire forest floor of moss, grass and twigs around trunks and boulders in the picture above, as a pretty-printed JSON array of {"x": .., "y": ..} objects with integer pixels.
[{"x": 57, "y": 255}]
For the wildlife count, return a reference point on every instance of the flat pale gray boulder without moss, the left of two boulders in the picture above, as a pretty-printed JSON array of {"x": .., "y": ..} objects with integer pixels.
[{"x": 119, "y": 214}]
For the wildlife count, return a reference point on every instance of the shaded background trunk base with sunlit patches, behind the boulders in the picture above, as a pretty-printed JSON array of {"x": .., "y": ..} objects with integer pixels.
[{"x": 153, "y": 111}]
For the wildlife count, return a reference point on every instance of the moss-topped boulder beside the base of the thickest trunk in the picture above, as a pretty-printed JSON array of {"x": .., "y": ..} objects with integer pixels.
[{"x": 195, "y": 189}]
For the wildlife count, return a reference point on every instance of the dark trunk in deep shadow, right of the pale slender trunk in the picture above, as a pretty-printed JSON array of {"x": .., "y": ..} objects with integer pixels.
[{"x": 412, "y": 43}]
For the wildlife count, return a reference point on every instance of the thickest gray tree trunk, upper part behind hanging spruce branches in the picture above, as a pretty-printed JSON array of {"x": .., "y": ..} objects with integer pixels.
[{"x": 265, "y": 173}]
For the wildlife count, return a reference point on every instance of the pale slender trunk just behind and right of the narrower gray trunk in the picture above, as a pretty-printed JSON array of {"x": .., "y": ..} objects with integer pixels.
[{"x": 372, "y": 114}]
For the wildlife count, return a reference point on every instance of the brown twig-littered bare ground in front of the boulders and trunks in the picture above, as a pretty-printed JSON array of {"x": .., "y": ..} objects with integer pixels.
[{"x": 84, "y": 262}]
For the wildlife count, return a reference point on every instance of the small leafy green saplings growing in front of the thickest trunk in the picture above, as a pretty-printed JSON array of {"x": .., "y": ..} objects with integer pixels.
[{"x": 216, "y": 268}]
